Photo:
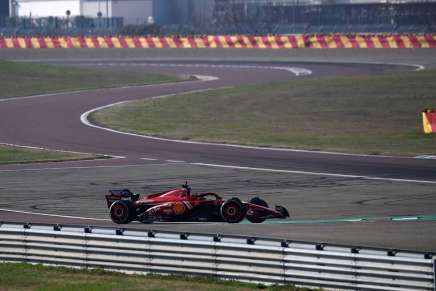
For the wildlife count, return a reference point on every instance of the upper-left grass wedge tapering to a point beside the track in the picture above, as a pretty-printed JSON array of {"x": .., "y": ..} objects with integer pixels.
[{"x": 20, "y": 79}]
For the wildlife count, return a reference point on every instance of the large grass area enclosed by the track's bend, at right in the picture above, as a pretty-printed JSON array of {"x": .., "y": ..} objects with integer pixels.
[{"x": 374, "y": 114}]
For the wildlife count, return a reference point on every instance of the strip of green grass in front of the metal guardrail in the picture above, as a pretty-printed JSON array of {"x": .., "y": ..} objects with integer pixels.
[{"x": 37, "y": 277}]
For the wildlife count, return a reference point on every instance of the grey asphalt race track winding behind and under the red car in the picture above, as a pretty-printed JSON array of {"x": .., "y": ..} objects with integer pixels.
[{"x": 361, "y": 200}]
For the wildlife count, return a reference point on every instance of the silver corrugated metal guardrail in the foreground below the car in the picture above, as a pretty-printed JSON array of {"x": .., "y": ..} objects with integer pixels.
[{"x": 259, "y": 260}]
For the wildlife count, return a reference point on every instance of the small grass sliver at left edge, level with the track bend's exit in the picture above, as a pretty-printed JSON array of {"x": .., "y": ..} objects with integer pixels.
[{"x": 14, "y": 155}]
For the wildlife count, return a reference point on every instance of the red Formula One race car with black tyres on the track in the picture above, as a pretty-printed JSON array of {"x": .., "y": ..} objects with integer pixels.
[{"x": 180, "y": 205}]
